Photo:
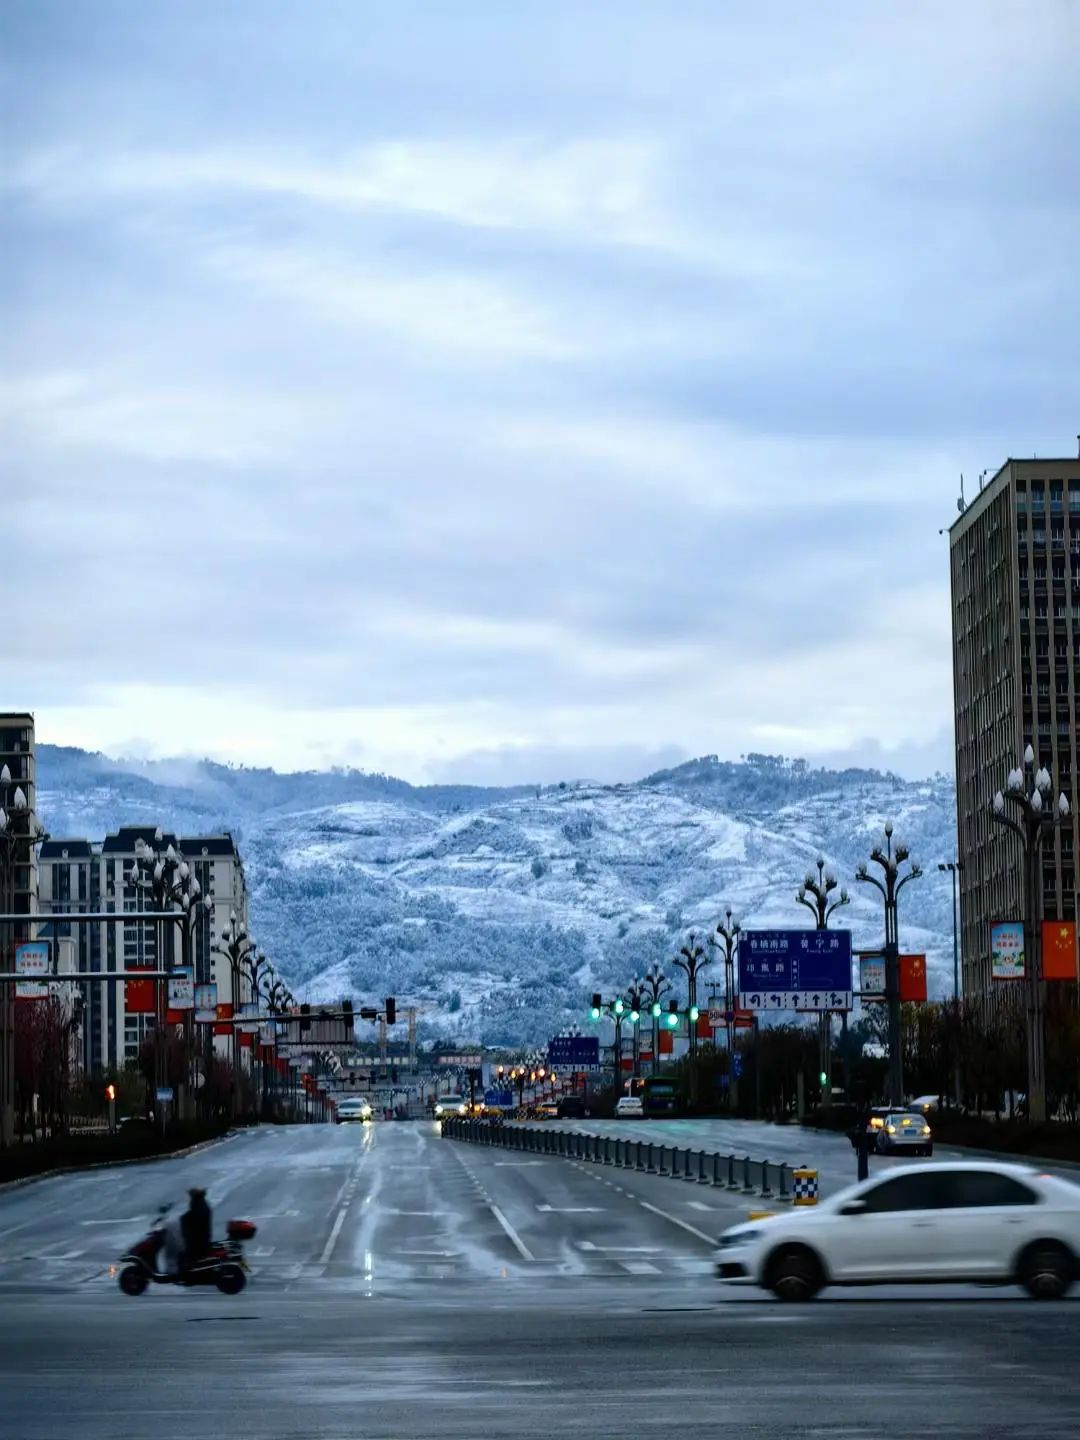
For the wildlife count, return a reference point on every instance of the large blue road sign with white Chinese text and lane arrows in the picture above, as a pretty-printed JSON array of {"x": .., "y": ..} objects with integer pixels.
[{"x": 796, "y": 970}]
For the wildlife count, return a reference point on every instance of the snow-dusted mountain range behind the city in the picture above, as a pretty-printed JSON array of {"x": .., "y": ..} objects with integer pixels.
[{"x": 500, "y": 911}]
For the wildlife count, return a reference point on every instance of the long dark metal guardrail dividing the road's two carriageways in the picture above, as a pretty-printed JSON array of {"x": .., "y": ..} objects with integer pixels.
[{"x": 765, "y": 1180}]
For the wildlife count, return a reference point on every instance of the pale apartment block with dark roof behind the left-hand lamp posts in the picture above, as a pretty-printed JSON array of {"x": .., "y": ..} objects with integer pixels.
[{"x": 77, "y": 875}]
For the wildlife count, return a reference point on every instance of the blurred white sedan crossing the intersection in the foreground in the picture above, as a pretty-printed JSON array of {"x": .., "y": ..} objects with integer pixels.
[{"x": 986, "y": 1222}]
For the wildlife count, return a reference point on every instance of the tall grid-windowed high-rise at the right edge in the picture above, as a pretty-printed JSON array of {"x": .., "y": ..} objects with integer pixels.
[{"x": 1016, "y": 620}]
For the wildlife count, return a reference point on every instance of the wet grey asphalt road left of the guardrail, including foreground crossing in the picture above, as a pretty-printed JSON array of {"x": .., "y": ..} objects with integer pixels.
[{"x": 410, "y": 1287}]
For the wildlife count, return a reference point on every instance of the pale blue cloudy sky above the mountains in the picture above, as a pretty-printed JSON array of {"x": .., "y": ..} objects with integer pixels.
[{"x": 510, "y": 392}]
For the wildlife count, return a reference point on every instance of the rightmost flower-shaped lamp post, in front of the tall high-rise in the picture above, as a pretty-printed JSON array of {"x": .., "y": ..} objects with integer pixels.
[{"x": 1027, "y": 810}]
